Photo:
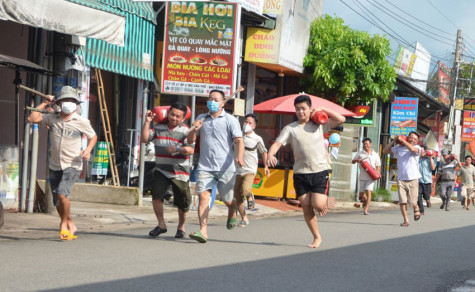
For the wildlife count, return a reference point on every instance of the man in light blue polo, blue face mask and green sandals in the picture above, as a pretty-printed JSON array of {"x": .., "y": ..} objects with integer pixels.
[{"x": 218, "y": 131}]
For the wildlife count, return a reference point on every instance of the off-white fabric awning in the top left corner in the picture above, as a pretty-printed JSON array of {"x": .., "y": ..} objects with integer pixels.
[{"x": 89, "y": 18}]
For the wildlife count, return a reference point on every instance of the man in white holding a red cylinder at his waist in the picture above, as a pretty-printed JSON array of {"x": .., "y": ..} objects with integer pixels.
[{"x": 365, "y": 180}]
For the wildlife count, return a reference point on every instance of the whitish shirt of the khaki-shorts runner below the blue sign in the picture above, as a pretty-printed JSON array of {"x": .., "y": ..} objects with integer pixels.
[{"x": 407, "y": 162}]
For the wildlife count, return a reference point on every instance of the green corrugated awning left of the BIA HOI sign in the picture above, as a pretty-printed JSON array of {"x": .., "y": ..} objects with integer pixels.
[{"x": 135, "y": 58}]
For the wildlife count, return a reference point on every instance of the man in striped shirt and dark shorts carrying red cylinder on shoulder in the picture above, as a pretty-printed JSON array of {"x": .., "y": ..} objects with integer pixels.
[{"x": 172, "y": 165}]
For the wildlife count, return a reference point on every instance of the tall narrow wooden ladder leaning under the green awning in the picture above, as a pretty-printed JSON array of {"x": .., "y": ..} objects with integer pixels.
[{"x": 107, "y": 128}]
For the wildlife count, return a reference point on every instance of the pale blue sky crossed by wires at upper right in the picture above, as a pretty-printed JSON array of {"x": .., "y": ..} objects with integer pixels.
[{"x": 438, "y": 21}]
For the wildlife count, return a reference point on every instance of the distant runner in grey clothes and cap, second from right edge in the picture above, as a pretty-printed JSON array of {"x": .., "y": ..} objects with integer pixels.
[{"x": 447, "y": 175}]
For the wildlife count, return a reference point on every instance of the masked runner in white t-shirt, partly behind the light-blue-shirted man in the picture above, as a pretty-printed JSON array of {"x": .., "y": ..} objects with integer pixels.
[{"x": 253, "y": 144}]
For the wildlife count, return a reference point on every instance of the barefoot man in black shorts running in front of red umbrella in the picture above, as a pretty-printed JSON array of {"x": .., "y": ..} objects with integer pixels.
[{"x": 311, "y": 164}]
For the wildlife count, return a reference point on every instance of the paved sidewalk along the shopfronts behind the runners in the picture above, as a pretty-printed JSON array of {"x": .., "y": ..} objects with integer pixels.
[{"x": 98, "y": 218}]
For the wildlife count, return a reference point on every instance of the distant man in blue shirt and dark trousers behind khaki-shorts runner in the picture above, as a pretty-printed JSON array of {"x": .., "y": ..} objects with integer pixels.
[{"x": 426, "y": 166}]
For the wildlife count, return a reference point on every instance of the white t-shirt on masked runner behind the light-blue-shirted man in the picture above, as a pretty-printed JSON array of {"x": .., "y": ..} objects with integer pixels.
[{"x": 252, "y": 144}]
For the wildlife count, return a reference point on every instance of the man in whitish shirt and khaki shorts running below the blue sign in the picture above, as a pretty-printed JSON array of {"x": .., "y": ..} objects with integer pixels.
[{"x": 408, "y": 174}]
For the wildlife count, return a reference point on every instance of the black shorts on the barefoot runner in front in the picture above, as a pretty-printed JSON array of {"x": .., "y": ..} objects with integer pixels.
[{"x": 311, "y": 182}]
